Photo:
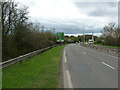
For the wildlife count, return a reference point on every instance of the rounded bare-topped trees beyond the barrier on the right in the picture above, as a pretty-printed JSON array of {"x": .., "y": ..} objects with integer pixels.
[{"x": 110, "y": 35}]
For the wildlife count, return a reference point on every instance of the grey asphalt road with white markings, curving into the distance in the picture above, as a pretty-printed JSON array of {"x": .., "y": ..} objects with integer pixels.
[{"x": 87, "y": 68}]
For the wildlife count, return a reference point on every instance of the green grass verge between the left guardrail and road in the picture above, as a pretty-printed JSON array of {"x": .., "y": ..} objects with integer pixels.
[{"x": 41, "y": 71}]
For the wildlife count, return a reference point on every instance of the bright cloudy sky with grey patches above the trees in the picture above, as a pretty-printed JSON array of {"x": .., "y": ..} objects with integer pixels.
[{"x": 73, "y": 16}]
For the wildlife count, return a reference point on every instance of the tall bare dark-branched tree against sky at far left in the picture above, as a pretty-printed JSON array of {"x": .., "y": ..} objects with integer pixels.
[{"x": 11, "y": 17}]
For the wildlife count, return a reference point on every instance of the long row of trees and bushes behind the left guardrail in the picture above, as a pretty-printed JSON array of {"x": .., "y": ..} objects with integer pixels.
[{"x": 19, "y": 34}]
